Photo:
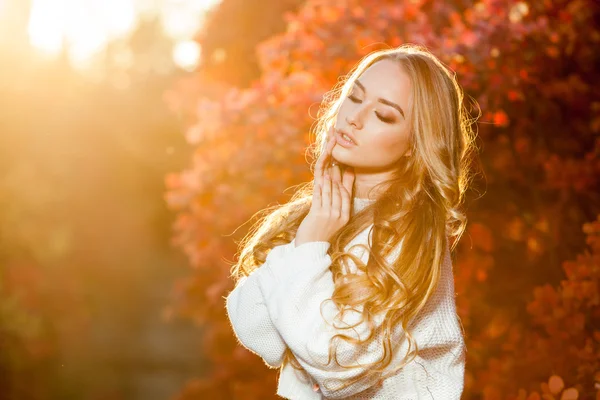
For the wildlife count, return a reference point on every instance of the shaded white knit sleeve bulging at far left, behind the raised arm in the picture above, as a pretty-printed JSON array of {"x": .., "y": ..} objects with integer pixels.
[{"x": 250, "y": 318}]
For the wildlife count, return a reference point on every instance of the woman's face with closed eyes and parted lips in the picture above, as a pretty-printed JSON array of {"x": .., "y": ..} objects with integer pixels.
[{"x": 376, "y": 114}]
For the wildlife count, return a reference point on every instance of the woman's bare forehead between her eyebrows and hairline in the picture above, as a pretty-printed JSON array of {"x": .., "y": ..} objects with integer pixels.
[{"x": 387, "y": 79}]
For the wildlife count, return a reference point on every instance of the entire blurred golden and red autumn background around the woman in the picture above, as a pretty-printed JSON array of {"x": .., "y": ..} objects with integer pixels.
[{"x": 138, "y": 138}]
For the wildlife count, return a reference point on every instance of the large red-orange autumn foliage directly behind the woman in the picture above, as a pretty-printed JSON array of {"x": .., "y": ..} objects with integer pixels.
[{"x": 527, "y": 274}]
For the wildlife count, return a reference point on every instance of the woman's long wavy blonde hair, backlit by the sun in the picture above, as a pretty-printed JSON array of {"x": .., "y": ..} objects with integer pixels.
[{"x": 420, "y": 209}]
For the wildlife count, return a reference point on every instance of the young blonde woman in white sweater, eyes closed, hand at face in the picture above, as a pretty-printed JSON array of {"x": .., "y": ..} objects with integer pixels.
[{"x": 348, "y": 288}]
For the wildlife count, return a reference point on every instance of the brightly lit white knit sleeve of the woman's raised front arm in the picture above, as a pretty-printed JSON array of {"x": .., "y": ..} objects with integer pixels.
[{"x": 293, "y": 288}]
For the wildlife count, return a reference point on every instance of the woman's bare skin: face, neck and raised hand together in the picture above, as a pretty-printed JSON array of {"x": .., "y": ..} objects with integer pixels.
[{"x": 376, "y": 115}]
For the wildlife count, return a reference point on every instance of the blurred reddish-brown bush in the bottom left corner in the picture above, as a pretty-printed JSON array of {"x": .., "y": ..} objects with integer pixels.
[{"x": 39, "y": 308}]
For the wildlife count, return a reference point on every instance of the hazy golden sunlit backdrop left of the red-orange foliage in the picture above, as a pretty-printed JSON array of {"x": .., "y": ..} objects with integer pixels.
[{"x": 85, "y": 141}]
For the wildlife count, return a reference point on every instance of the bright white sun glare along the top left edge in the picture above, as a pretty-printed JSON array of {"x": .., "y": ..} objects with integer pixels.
[{"x": 83, "y": 28}]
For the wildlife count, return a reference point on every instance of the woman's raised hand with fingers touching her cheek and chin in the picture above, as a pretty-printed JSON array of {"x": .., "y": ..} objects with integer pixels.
[{"x": 331, "y": 203}]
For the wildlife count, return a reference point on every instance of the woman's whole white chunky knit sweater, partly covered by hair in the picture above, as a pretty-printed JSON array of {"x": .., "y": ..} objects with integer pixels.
[{"x": 278, "y": 306}]
